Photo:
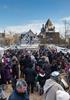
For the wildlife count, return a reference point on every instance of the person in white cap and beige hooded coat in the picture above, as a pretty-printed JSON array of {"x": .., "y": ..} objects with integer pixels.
[{"x": 51, "y": 87}]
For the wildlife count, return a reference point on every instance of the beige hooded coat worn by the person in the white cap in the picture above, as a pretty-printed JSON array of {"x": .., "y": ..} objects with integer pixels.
[{"x": 50, "y": 89}]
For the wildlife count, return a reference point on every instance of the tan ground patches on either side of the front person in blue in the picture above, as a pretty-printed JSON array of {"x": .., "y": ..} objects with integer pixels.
[{"x": 34, "y": 96}]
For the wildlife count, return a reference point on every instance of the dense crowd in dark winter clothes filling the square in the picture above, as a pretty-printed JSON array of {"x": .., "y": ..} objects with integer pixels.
[{"x": 35, "y": 67}]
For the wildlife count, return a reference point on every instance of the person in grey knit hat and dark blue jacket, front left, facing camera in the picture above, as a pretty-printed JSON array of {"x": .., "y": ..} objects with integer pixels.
[{"x": 20, "y": 93}]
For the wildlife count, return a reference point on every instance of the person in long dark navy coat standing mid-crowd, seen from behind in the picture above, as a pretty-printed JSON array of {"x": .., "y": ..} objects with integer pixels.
[{"x": 30, "y": 75}]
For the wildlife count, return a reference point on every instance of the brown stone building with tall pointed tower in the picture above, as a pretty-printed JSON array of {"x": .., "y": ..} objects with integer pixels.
[{"x": 48, "y": 34}]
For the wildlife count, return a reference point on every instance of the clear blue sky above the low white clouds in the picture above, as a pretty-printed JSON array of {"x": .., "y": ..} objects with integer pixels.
[{"x": 19, "y": 12}]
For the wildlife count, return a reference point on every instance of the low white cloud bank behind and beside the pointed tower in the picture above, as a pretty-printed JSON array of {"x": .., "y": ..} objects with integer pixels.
[{"x": 35, "y": 26}]
